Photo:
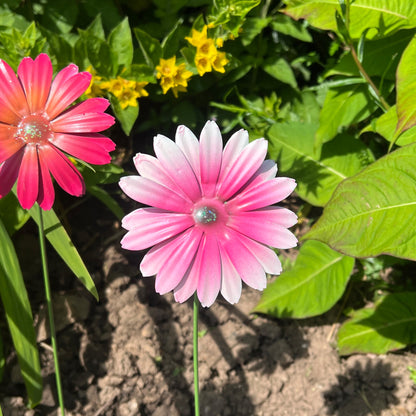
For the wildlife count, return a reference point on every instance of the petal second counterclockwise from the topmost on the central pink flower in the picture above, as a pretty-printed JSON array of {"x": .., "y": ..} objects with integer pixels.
[{"x": 176, "y": 165}]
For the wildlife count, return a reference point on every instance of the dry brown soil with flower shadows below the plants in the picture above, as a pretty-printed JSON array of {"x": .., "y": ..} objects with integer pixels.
[{"x": 131, "y": 353}]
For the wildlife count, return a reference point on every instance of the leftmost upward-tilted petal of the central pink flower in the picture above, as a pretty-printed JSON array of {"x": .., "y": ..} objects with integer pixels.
[{"x": 151, "y": 193}]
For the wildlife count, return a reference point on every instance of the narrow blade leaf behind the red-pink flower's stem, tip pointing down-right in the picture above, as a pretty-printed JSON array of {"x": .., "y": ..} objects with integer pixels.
[{"x": 58, "y": 237}]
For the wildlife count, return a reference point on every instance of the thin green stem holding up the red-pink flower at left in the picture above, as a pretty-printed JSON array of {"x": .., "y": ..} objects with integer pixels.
[{"x": 50, "y": 311}]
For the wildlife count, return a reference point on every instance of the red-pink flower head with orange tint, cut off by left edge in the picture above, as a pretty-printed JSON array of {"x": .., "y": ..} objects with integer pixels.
[{"x": 37, "y": 130}]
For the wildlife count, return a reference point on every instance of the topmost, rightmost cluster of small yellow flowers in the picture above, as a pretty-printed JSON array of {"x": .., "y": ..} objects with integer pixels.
[{"x": 207, "y": 57}]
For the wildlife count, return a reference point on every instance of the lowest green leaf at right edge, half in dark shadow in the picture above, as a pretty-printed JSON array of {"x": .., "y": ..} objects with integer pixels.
[{"x": 388, "y": 326}]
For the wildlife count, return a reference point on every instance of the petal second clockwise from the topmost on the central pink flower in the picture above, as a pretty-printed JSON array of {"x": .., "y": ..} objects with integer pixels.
[{"x": 239, "y": 173}]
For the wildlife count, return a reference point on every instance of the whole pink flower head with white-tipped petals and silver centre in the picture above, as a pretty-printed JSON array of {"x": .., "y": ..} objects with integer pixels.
[{"x": 211, "y": 219}]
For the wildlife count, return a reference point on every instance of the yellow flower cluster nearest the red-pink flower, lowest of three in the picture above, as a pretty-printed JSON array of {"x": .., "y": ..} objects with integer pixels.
[{"x": 126, "y": 91}]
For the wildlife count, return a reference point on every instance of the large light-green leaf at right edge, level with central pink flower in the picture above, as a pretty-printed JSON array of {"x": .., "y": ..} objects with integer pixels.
[{"x": 373, "y": 212}]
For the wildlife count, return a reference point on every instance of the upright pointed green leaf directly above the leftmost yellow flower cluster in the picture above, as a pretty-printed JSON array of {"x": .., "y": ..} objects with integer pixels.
[{"x": 121, "y": 46}]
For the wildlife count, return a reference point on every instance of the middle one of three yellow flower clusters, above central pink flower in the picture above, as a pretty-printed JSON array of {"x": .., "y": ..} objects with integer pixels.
[{"x": 172, "y": 76}]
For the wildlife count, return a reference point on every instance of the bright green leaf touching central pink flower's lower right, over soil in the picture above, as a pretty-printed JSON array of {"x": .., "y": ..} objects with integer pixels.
[{"x": 311, "y": 287}]
